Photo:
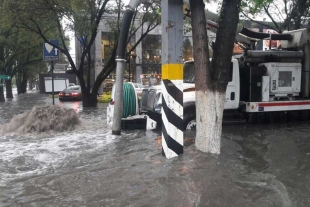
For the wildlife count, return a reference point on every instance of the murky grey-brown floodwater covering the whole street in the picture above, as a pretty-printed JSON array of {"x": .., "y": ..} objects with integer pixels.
[{"x": 262, "y": 165}]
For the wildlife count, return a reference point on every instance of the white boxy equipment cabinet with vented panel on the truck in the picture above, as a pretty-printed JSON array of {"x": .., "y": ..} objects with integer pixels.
[{"x": 285, "y": 78}]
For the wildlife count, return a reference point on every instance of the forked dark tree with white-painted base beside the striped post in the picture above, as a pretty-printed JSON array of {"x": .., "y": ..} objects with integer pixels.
[{"x": 212, "y": 77}]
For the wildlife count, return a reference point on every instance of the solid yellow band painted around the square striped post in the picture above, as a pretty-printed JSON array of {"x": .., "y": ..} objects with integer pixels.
[{"x": 172, "y": 71}]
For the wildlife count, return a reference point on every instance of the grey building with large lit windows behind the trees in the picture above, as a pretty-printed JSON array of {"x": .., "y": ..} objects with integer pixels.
[{"x": 144, "y": 64}]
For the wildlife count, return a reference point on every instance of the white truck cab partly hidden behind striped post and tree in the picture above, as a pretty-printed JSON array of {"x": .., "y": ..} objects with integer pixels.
[{"x": 152, "y": 100}]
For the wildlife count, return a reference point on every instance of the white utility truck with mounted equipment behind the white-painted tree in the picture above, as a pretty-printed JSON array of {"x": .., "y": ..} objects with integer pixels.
[{"x": 264, "y": 83}]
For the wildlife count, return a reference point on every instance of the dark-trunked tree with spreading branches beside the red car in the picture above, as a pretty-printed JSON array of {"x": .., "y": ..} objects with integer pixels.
[{"x": 82, "y": 17}]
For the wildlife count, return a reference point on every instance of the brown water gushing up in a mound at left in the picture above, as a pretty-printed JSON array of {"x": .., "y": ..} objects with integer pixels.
[{"x": 42, "y": 119}]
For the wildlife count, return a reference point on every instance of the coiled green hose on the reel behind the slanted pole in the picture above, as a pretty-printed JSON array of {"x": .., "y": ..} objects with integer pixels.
[{"x": 129, "y": 100}]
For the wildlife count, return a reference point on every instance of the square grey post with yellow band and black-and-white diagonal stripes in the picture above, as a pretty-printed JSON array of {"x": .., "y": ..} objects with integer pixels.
[{"x": 172, "y": 76}]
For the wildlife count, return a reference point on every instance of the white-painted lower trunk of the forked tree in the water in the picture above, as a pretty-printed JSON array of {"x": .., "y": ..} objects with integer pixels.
[{"x": 209, "y": 116}]
